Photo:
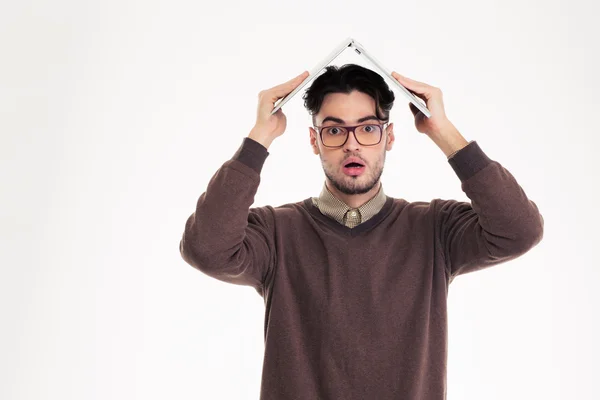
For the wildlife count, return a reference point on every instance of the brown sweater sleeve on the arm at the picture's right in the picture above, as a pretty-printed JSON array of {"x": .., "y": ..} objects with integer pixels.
[{"x": 499, "y": 224}]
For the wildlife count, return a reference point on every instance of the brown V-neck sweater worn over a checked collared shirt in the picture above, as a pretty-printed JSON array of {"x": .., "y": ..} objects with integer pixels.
[{"x": 357, "y": 313}]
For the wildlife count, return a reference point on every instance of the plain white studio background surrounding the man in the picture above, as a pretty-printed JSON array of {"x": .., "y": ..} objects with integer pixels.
[{"x": 114, "y": 116}]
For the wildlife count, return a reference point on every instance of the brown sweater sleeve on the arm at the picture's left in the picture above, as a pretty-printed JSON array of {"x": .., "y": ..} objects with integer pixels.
[{"x": 225, "y": 238}]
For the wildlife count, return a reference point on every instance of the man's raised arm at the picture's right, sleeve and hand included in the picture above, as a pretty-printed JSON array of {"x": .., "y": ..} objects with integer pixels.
[{"x": 500, "y": 223}]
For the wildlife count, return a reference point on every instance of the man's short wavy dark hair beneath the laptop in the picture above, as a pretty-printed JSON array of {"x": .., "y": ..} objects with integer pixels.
[{"x": 345, "y": 79}]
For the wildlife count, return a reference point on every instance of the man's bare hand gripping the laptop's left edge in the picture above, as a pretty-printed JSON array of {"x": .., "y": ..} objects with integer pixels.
[{"x": 268, "y": 126}]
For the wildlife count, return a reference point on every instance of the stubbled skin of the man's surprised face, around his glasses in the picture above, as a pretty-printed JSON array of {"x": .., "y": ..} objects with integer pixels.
[{"x": 350, "y": 108}]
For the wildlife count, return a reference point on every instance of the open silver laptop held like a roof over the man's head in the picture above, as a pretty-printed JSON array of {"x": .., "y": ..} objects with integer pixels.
[{"x": 349, "y": 42}]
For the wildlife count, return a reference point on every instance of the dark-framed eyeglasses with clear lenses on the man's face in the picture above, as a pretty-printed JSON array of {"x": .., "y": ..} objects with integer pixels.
[{"x": 365, "y": 134}]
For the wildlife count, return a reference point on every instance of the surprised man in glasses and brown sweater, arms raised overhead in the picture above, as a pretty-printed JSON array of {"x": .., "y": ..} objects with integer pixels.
[{"x": 355, "y": 282}]
